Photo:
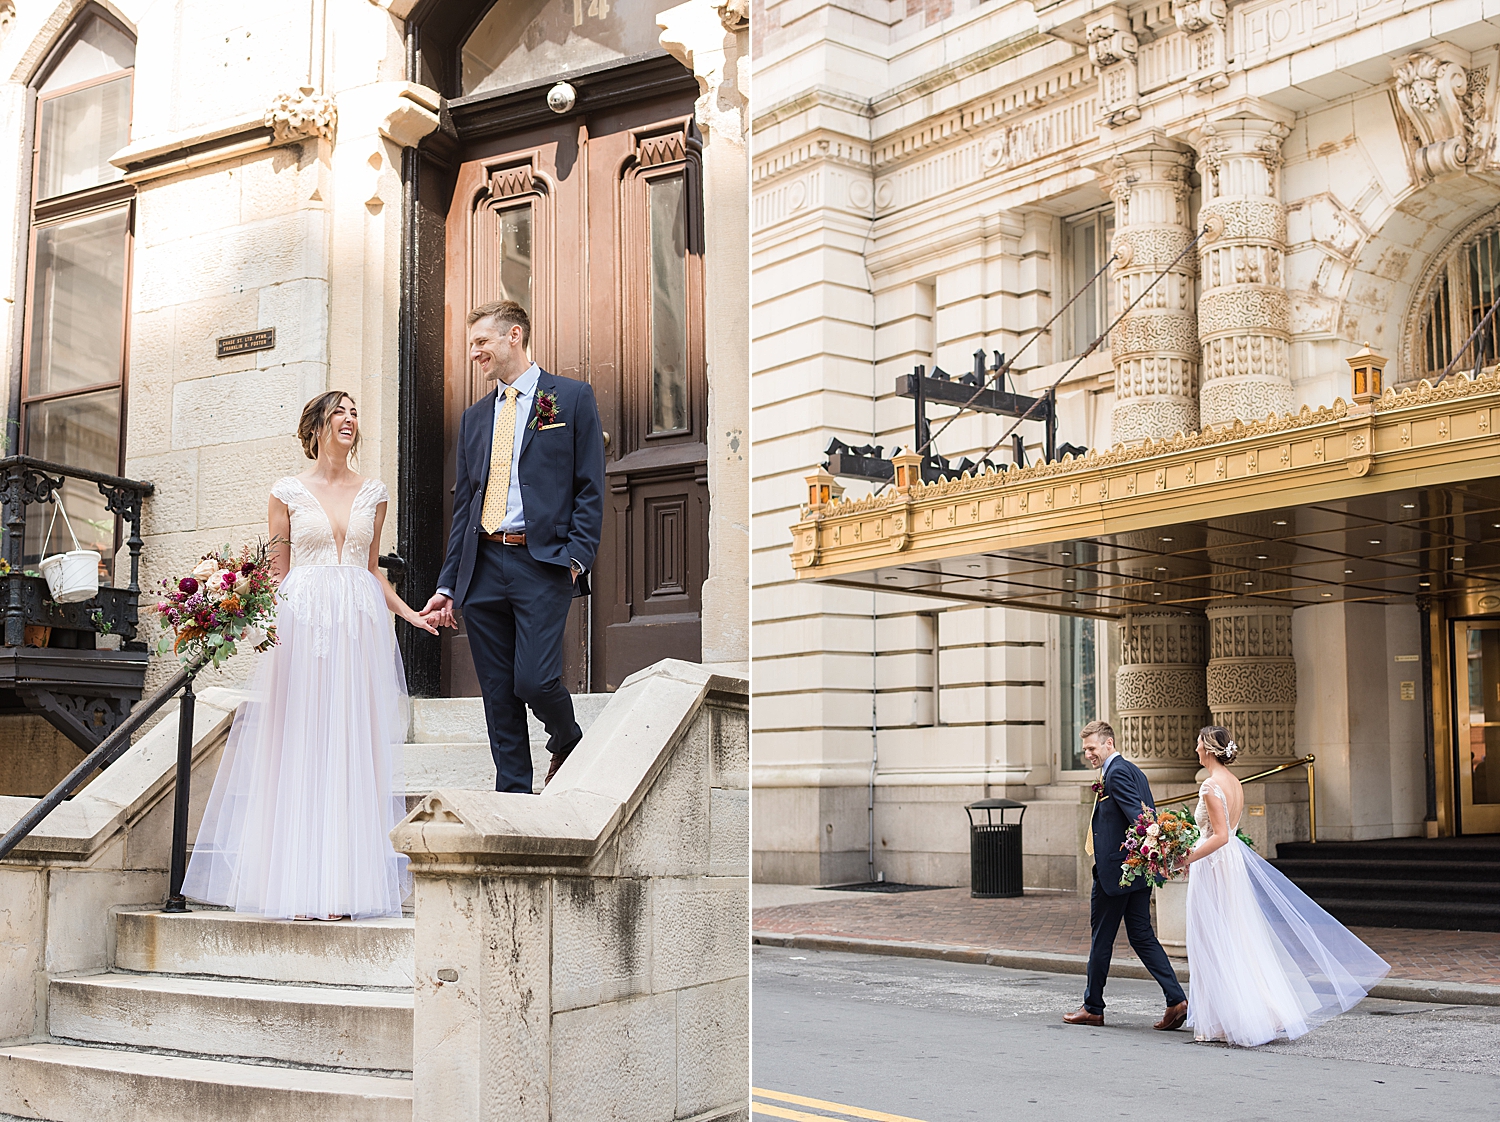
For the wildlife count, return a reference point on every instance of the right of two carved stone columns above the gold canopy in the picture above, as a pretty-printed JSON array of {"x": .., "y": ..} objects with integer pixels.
[{"x": 1244, "y": 313}]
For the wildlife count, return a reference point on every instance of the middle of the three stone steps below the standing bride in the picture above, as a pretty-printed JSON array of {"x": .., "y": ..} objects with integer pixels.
[{"x": 317, "y": 1027}]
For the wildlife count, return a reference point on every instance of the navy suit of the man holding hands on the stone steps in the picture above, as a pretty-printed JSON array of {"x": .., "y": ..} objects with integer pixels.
[{"x": 515, "y": 599}]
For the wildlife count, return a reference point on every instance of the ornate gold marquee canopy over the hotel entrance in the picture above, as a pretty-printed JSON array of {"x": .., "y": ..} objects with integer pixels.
[{"x": 1379, "y": 500}]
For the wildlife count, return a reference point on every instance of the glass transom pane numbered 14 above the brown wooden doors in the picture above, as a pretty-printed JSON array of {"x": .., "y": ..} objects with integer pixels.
[{"x": 532, "y": 41}]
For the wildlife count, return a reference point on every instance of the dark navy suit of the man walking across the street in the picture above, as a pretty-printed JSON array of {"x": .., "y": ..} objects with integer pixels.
[{"x": 1109, "y": 904}]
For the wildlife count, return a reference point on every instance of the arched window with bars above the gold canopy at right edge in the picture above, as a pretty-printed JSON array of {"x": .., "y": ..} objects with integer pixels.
[{"x": 1463, "y": 289}]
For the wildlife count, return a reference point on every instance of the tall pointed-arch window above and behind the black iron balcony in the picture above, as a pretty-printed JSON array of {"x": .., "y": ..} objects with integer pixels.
[{"x": 79, "y": 271}]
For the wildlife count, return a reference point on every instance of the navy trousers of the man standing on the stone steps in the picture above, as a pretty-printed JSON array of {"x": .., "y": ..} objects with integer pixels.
[{"x": 515, "y": 614}]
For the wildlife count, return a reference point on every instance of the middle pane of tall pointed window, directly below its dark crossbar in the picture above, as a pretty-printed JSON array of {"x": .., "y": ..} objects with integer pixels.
[{"x": 77, "y": 304}]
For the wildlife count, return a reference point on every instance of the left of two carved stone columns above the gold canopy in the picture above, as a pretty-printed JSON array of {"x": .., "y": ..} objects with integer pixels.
[{"x": 1156, "y": 349}]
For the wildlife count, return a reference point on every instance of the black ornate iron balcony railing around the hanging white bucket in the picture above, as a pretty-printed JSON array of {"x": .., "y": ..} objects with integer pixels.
[{"x": 25, "y": 482}]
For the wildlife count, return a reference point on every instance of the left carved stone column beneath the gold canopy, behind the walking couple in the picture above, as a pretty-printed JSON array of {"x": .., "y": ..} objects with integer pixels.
[{"x": 1159, "y": 692}]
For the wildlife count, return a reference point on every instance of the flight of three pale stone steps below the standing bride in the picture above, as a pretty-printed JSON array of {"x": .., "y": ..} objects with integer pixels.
[{"x": 220, "y": 1016}]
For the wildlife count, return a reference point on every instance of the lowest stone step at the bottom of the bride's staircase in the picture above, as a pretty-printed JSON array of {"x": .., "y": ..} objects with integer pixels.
[{"x": 76, "y": 1084}]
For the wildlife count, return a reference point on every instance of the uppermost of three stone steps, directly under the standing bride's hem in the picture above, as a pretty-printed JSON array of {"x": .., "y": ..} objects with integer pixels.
[{"x": 368, "y": 953}]
